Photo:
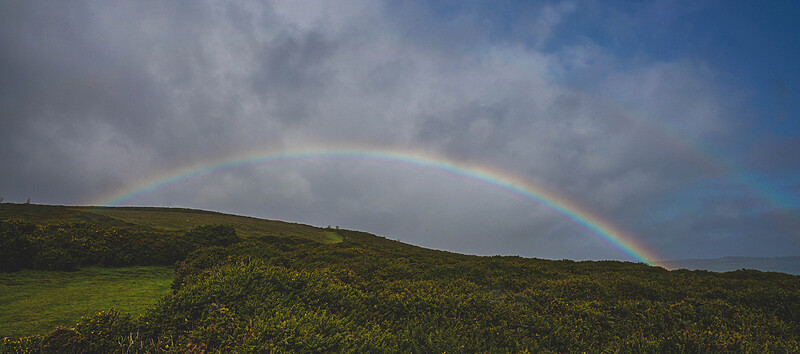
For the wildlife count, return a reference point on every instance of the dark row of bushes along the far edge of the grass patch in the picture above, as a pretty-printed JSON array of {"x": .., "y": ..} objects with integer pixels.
[{"x": 66, "y": 246}]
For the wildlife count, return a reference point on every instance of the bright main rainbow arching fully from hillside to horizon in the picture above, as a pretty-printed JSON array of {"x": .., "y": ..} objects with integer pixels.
[{"x": 496, "y": 178}]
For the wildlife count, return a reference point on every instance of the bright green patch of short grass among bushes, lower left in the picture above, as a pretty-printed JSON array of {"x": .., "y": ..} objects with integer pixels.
[{"x": 35, "y": 302}]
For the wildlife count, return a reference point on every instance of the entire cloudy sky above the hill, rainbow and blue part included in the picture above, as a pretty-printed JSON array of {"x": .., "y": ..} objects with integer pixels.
[{"x": 673, "y": 122}]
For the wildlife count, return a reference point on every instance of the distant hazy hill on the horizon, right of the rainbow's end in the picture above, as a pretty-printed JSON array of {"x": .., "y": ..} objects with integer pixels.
[{"x": 790, "y": 265}]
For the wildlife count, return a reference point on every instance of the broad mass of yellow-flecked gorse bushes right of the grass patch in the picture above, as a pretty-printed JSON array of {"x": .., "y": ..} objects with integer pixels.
[{"x": 390, "y": 298}]
